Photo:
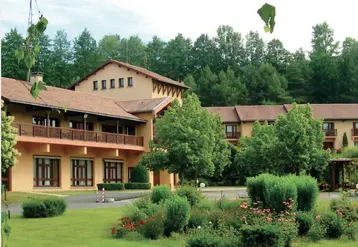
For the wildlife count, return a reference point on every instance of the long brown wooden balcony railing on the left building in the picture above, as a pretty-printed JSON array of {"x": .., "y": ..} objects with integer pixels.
[{"x": 77, "y": 134}]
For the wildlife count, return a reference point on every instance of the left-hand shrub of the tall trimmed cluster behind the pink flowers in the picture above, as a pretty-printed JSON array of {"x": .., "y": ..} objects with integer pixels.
[{"x": 256, "y": 185}]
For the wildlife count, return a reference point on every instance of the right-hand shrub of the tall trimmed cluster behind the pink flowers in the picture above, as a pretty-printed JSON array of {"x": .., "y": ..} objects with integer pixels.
[{"x": 307, "y": 192}]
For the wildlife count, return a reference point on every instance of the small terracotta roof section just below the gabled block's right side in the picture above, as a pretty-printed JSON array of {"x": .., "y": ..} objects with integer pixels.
[{"x": 145, "y": 105}]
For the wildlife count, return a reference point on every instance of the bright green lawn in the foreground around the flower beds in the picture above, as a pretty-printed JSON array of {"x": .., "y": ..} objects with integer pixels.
[{"x": 91, "y": 228}]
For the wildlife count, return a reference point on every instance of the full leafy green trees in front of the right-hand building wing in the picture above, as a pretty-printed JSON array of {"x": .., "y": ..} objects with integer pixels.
[{"x": 294, "y": 144}]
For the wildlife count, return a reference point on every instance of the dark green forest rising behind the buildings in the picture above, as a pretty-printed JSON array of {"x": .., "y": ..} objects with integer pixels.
[{"x": 225, "y": 70}]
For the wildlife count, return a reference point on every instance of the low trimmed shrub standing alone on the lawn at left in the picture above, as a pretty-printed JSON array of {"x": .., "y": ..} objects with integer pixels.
[{"x": 43, "y": 208}]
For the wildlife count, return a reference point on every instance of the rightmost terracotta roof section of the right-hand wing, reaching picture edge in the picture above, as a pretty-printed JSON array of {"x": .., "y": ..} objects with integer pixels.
[{"x": 332, "y": 111}]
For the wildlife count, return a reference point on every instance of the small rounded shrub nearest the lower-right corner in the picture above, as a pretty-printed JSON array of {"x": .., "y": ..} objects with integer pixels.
[{"x": 333, "y": 225}]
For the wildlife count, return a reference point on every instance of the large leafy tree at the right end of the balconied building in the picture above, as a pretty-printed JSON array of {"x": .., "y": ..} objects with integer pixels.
[{"x": 191, "y": 141}]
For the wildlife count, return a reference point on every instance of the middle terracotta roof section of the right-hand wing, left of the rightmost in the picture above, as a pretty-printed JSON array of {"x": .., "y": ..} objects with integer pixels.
[{"x": 248, "y": 113}]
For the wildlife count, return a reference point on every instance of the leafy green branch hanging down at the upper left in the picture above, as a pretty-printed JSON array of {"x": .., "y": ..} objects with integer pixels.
[{"x": 30, "y": 51}]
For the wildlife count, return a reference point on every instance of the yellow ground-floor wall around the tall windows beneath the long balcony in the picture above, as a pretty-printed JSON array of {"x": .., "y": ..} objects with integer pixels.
[{"x": 22, "y": 172}]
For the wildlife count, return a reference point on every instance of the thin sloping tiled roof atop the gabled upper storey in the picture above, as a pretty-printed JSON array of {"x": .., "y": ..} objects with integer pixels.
[{"x": 141, "y": 70}]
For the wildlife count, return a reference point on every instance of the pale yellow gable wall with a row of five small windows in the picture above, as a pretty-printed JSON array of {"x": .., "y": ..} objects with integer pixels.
[{"x": 141, "y": 89}]
